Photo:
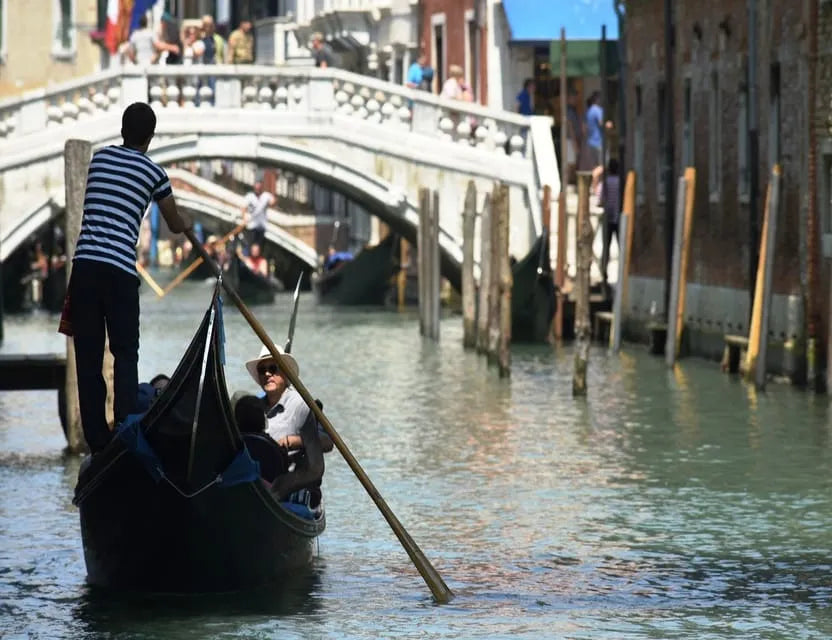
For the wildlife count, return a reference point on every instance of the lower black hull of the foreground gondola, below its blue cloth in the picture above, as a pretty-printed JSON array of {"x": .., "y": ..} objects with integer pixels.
[{"x": 140, "y": 535}]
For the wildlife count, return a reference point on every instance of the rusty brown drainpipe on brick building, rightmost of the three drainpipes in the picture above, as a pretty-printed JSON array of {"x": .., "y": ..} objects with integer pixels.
[{"x": 812, "y": 227}]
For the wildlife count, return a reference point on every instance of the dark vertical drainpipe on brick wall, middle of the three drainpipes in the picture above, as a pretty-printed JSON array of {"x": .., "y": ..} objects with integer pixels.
[{"x": 753, "y": 156}]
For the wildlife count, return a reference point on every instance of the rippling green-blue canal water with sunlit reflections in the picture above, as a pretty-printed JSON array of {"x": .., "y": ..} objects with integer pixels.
[{"x": 668, "y": 504}]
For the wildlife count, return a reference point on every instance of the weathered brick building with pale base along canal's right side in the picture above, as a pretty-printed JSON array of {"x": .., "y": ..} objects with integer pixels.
[{"x": 711, "y": 114}]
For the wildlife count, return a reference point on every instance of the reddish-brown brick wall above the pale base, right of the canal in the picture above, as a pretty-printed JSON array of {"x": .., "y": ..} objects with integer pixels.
[{"x": 711, "y": 41}]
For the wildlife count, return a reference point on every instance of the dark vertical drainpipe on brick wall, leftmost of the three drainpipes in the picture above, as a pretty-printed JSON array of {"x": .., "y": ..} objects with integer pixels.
[{"x": 669, "y": 213}]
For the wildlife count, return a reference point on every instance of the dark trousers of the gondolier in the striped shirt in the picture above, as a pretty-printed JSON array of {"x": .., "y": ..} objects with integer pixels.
[{"x": 104, "y": 297}]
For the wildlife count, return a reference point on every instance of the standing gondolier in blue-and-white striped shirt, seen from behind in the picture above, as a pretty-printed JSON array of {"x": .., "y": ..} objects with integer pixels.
[{"x": 104, "y": 287}]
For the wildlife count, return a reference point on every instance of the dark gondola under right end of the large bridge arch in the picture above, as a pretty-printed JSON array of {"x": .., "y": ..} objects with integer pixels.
[{"x": 364, "y": 280}]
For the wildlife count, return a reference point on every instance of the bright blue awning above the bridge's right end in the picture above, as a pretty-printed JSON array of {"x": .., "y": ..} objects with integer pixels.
[{"x": 582, "y": 19}]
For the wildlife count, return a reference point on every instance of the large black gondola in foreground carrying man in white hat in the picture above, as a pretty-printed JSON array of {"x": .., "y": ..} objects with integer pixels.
[{"x": 181, "y": 501}]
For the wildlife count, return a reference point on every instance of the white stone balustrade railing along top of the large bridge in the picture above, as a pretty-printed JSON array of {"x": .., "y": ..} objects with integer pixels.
[{"x": 263, "y": 87}]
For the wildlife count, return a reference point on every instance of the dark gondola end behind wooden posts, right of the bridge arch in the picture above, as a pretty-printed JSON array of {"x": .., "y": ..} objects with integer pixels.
[{"x": 533, "y": 294}]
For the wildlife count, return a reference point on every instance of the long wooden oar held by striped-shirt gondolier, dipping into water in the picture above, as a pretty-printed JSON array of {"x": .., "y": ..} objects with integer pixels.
[{"x": 441, "y": 593}]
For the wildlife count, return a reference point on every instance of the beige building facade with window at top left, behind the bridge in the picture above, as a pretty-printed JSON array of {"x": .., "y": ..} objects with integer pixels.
[{"x": 46, "y": 46}]
